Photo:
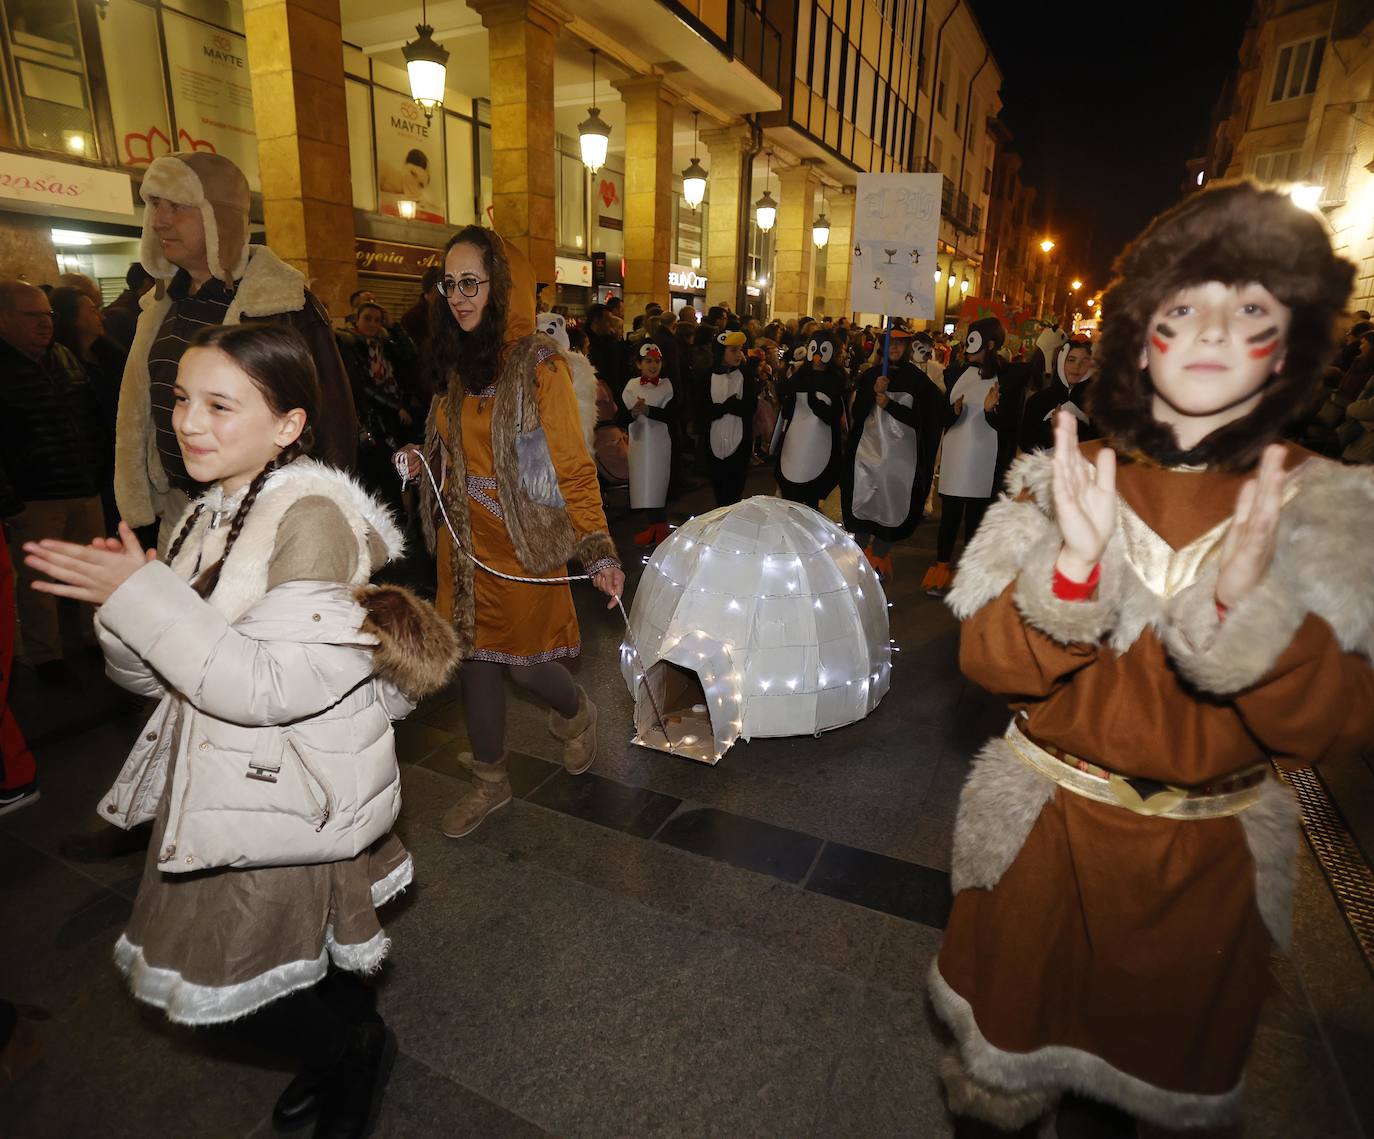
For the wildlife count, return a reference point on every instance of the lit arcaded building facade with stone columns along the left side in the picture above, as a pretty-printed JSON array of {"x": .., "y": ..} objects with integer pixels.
[{"x": 357, "y": 185}]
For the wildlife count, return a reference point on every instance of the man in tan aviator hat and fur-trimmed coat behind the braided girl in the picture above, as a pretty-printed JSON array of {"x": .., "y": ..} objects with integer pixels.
[{"x": 196, "y": 245}]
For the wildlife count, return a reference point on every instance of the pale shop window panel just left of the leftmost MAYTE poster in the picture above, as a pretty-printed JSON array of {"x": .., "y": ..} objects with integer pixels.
[{"x": 134, "y": 74}]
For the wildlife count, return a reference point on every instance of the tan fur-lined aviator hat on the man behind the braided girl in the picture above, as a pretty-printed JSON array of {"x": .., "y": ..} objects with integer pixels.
[{"x": 219, "y": 190}]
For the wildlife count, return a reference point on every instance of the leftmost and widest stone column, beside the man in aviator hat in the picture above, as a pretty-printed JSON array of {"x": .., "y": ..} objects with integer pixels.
[{"x": 296, "y": 61}]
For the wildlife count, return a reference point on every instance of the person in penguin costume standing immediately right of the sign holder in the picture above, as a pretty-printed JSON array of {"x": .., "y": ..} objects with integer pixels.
[{"x": 983, "y": 417}]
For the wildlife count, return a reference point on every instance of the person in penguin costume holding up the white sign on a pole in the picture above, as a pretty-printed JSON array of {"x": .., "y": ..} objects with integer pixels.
[{"x": 895, "y": 433}]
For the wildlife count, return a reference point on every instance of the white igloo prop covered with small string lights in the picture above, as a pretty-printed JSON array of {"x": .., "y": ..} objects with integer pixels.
[{"x": 759, "y": 619}]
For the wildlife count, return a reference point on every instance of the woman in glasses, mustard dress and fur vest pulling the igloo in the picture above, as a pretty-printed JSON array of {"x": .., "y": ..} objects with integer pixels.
[{"x": 504, "y": 385}]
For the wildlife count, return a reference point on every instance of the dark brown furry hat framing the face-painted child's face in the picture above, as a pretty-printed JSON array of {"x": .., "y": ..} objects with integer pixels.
[{"x": 1235, "y": 234}]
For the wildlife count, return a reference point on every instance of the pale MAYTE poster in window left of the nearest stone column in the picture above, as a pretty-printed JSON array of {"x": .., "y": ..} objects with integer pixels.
[{"x": 212, "y": 95}]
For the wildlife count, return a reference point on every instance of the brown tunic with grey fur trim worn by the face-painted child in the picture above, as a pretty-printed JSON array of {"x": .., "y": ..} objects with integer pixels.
[{"x": 1093, "y": 949}]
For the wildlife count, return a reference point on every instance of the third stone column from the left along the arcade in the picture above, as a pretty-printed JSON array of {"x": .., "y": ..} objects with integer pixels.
[{"x": 649, "y": 190}]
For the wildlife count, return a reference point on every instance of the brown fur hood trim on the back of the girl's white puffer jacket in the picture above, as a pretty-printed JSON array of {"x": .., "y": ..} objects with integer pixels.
[{"x": 417, "y": 651}]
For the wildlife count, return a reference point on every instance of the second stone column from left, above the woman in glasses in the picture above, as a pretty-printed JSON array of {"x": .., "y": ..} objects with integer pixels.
[{"x": 521, "y": 36}]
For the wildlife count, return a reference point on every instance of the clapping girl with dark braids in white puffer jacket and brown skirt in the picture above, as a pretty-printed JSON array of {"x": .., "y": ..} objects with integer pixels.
[{"x": 269, "y": 769}]
